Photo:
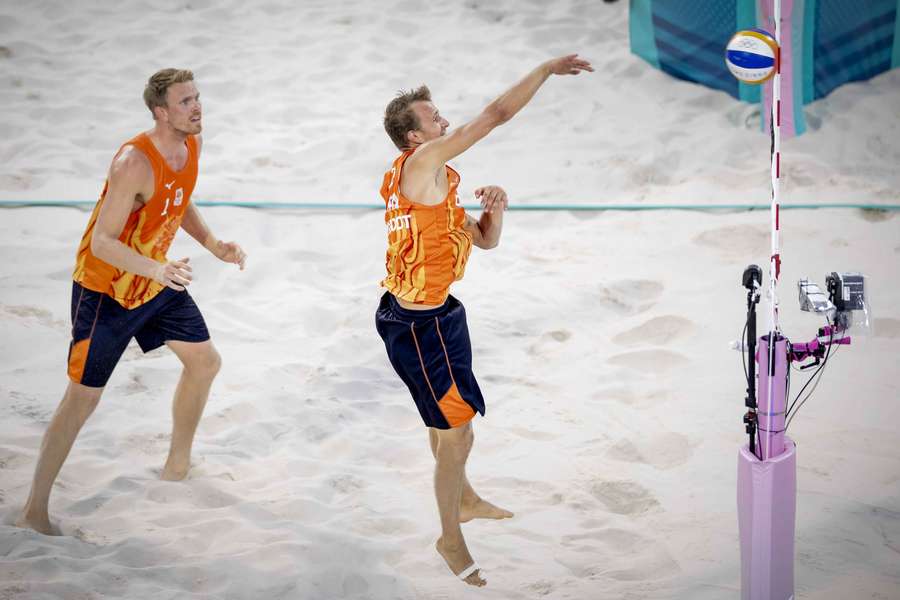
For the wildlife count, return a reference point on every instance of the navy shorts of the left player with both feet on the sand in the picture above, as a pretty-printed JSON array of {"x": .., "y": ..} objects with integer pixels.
[{"x": 102, "y": 328}]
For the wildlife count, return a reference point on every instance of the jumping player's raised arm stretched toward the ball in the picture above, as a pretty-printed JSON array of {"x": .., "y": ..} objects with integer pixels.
[{"x": 437, "y": 152}]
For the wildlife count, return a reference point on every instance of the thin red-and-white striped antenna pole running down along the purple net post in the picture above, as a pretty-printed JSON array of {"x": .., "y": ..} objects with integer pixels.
[{"x": 775, "y": 258}]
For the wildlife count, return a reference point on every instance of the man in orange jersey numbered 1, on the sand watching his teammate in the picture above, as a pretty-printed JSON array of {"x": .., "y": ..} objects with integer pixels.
[{"x": 124, "y": 286}]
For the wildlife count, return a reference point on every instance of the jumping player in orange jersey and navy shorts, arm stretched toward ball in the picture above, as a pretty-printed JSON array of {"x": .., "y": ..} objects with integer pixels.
[{"x": 424, "y": 329}]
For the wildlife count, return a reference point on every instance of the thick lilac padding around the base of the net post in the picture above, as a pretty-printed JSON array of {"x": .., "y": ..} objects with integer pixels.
[{"x": 767, "y": 506}]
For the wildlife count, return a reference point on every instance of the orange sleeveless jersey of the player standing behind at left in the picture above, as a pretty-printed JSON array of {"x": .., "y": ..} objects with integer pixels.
[{"x": 149, "y": 230}]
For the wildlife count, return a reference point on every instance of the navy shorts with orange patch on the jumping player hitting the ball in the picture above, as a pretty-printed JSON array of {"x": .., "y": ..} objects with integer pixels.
[{"x": 432, "y": 354}]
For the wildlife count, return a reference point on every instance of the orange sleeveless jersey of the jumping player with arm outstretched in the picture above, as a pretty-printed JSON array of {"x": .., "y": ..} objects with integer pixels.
[{"x": 428, "y": 246}]
